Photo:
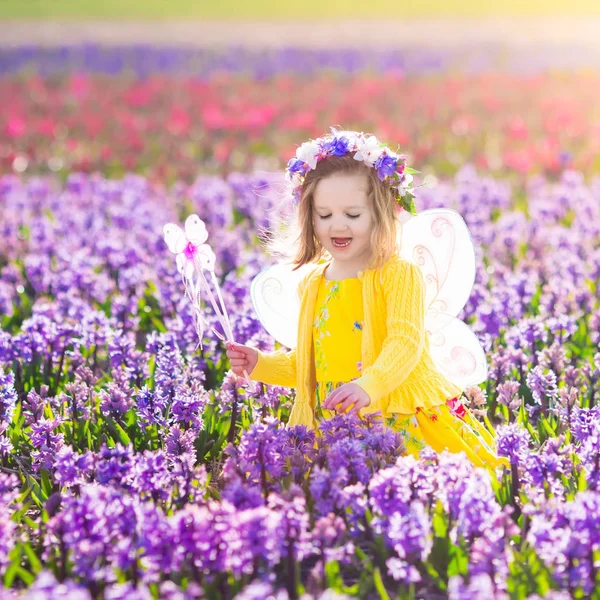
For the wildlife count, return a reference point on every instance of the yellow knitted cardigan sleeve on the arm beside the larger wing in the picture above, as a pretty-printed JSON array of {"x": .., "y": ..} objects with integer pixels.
[{"x": 404, "y": 289}]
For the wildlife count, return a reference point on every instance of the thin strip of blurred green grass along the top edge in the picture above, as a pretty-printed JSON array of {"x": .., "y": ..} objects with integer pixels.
[{"x": 280, "y": 10}]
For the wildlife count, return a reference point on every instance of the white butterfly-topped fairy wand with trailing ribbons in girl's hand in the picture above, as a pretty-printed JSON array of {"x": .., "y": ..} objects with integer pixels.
[{"x": 193, "y": 257}]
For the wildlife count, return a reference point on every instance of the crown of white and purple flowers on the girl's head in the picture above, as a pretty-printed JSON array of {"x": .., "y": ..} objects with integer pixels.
[{"x": 369, "y": 149}]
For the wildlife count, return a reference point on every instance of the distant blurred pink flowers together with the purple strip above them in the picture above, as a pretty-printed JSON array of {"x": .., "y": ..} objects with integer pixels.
[{"x": 251, "y": 113}]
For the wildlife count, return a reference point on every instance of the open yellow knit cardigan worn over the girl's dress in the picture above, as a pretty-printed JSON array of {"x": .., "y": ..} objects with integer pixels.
[{"x": 398, "y": 373}]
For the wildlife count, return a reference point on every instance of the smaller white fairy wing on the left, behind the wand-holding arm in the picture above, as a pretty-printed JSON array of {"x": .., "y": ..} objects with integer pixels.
[{"x": 274, "y": 293}]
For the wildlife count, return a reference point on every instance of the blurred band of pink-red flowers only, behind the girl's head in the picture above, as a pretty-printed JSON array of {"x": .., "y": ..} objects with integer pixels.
[{"x": 500, "y": 121}]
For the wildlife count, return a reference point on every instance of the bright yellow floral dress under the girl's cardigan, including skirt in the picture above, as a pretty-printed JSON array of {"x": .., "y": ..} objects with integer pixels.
[{"x": 337, "y": 337}]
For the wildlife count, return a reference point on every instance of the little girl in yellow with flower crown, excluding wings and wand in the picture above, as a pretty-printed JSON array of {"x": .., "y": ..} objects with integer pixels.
[{"x": 362, "y": 345}]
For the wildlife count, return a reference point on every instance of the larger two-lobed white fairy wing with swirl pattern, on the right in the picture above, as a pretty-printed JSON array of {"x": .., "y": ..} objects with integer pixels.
[{"x": 438, "y": 240}]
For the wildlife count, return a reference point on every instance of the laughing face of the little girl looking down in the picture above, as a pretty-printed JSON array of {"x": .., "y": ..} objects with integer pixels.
[{"x": 343, "y": 218}]
